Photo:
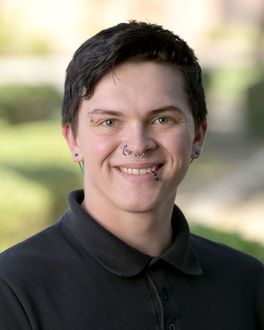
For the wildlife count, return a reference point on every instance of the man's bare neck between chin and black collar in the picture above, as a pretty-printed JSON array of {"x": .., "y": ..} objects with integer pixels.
[{"x": 148, "y": 232}]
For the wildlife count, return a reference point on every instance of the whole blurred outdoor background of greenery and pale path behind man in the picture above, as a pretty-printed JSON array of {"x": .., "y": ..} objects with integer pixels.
[{"x": 223, "y": 196}]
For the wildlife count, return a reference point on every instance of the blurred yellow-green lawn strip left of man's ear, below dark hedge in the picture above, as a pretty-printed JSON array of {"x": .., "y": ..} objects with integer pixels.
[{"x": 33, "y": 144}]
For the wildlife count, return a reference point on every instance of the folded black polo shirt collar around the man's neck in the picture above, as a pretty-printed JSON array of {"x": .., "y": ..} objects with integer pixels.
[{"x": 118, "y": 257}]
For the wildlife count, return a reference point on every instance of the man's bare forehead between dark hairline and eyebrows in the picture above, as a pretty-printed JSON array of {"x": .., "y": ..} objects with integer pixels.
[{"x": 140, "y": 86}]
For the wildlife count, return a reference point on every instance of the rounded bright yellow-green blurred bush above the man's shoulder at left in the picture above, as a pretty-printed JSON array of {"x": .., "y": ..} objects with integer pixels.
[{"x": 24, "y": 207}]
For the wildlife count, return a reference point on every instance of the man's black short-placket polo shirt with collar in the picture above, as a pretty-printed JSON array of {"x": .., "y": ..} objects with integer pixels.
[{"x": 75, "y": 275}]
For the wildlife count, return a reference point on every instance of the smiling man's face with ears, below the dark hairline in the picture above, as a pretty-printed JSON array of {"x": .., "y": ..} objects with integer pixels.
[{"x": 142, "y": 105}]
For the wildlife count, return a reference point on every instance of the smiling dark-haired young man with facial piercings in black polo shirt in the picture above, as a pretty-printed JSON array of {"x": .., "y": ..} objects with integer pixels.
[{"x": 122, "y": 256}]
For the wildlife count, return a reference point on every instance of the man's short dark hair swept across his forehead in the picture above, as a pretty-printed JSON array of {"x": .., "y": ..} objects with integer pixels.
[{"x": 129, "y": 42}]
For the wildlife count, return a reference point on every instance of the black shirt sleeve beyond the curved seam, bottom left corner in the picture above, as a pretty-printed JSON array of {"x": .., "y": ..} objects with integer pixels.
[{"x": 12, "y": 314}]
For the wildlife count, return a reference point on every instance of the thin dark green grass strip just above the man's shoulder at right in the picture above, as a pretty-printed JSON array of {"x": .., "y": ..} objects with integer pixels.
[{"x": 231, "y": 239}]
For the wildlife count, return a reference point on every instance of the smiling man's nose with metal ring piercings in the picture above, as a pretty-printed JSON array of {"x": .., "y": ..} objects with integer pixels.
[{"x": 139, "y": 140}]
